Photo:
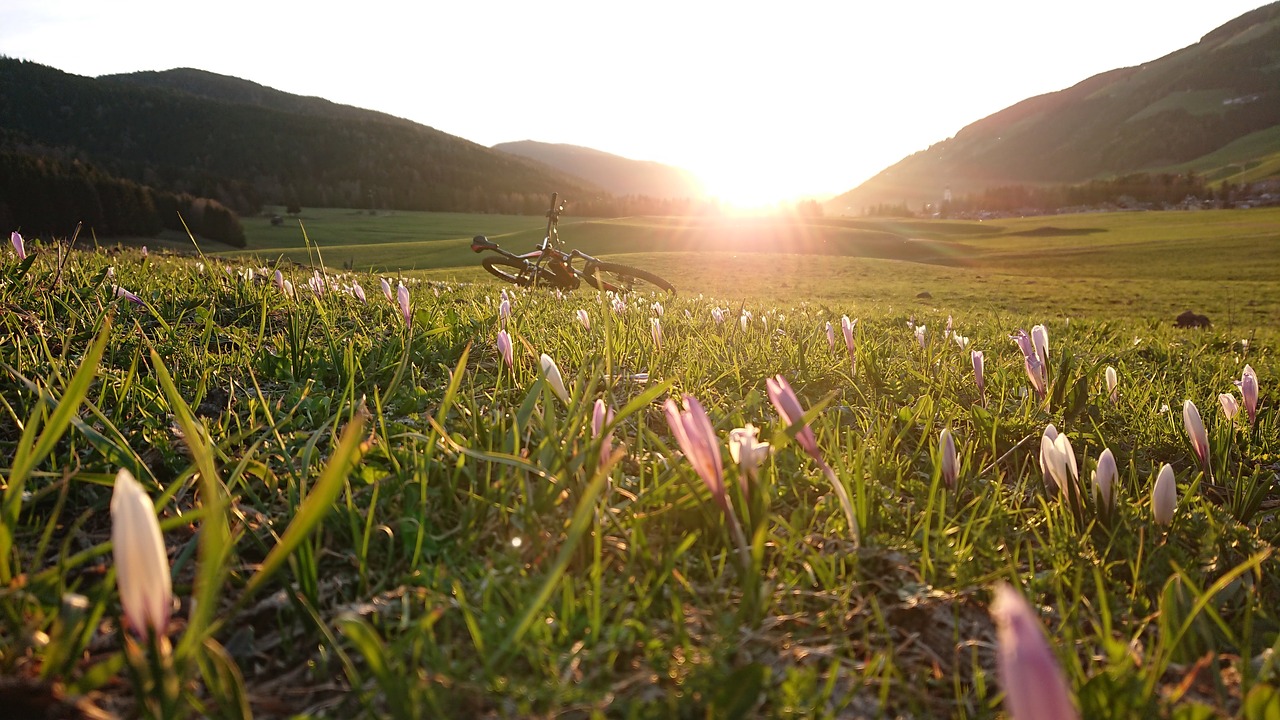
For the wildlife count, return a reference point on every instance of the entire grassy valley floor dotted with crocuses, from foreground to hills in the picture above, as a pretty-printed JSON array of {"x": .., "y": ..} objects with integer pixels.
[{"x": 368, "y": 511}]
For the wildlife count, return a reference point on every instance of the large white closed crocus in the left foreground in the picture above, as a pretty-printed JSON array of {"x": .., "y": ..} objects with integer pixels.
[{"x": 141, "y": 562}]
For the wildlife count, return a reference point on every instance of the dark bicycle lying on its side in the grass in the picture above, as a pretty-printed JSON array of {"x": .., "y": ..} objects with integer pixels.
[{"x": 548, "y": 266}]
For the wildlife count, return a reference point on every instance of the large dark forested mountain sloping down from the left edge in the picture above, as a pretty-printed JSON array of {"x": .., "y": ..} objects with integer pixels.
[{"x": 246, "y": 145}]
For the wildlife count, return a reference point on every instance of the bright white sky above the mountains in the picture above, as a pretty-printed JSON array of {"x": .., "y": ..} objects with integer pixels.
[{"x": 764, "y": 101}]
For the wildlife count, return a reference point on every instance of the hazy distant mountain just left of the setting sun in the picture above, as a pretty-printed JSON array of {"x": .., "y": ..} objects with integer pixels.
[{"x": 620, "y": 176}]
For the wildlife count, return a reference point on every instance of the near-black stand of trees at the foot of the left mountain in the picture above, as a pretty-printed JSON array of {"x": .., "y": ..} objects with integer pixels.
[{"x": 43, "y": 197}]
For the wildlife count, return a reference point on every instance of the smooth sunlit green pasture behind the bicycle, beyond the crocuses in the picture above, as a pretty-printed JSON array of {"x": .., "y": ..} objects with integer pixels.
[{"x": 1150, "y": 266}]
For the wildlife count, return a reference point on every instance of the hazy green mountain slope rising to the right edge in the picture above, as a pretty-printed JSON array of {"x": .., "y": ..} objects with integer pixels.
[{"x": 1213, "y": 108}]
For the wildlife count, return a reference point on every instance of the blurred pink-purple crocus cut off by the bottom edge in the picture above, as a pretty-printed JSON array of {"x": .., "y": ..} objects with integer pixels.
[{"x": 1035, "y": 687}]
